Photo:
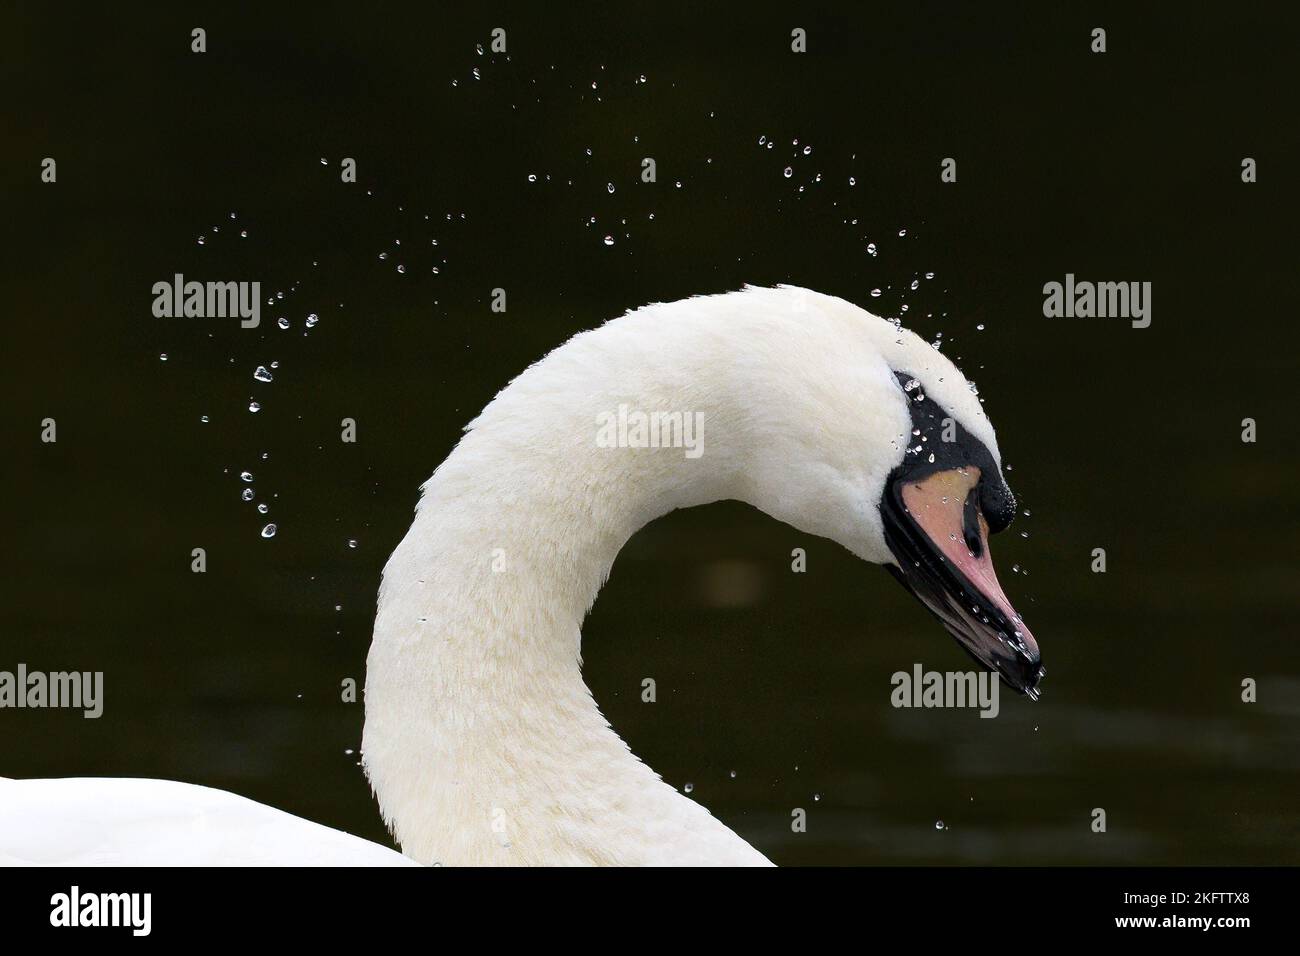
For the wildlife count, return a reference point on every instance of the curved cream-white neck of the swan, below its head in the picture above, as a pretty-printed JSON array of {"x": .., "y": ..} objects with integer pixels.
[{"x": 483, "y": 743}]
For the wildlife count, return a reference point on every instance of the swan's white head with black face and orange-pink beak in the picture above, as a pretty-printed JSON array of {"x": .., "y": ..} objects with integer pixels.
[{"x": 902, "y": 466}]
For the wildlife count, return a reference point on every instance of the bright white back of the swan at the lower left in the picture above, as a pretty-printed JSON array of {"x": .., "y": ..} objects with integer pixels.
[{"x": 142, "y": 823}]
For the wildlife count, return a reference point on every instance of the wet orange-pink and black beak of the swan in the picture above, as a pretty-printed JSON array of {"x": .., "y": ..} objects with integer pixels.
[{"x": 939, "y": 537}]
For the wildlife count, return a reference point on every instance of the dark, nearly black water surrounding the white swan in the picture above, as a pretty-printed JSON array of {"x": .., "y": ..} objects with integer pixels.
[{"x": 1116, "y": 167}]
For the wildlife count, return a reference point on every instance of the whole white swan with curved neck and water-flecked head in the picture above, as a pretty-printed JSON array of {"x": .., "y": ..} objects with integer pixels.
[{"x": 483, "y": 745}]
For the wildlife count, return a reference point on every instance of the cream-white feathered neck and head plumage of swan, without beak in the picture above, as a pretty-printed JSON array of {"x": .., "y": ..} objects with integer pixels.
[{"x": 482, "y": 741}]
